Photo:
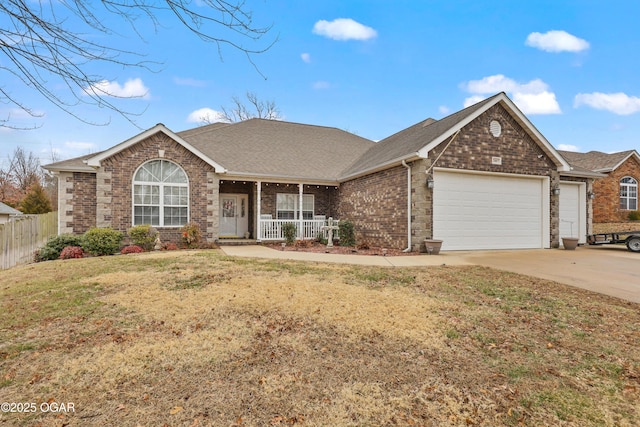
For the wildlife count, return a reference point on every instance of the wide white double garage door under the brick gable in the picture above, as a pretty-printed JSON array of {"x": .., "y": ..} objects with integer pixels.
[{"x": 480, "y": 211}]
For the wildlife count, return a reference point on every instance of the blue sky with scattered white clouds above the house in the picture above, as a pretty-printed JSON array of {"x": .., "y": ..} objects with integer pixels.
[{"x": 373, "y": 68}]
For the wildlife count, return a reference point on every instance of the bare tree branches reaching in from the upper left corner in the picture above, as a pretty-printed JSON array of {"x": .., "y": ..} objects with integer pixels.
[{"x": 49, "y": 43}]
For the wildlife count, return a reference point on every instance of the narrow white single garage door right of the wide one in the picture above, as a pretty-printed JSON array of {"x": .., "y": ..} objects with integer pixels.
[{"x": 573, "y": 211}]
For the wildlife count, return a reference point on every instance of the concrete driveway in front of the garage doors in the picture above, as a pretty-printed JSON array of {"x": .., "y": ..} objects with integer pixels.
[{"x": 607, "y": 269}]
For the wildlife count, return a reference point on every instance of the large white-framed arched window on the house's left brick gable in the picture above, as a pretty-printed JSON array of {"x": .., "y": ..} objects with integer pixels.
[{"x": 160, "y": 195}]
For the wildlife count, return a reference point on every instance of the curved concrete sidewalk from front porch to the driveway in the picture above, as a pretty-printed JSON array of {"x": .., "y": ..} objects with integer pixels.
[{"x": 257, "y": 251}]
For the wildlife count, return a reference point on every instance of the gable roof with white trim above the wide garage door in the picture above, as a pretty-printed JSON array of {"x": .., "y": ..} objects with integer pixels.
[{"x": 418, "y": 140}]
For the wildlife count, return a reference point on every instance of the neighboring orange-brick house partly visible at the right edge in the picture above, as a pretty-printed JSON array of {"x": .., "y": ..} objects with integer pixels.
[{"x": 617, "y": 193}]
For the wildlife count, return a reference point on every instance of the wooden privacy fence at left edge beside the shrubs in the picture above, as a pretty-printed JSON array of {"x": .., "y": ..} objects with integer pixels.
[{"x": 21, "y": 236}]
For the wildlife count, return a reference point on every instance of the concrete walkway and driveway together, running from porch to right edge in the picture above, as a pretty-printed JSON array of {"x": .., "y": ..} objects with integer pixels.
[{"x": 609, "y": 270}]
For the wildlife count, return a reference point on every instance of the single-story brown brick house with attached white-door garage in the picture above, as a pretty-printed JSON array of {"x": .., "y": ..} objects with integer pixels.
[{"x": 482, "y": 178}]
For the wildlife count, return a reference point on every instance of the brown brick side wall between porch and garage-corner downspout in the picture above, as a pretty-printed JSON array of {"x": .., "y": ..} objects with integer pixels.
[{"x": 377, "y": 205}]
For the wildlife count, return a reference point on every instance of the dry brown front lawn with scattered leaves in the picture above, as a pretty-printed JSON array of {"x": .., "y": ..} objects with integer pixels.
[{"x": 196, "y": 339}]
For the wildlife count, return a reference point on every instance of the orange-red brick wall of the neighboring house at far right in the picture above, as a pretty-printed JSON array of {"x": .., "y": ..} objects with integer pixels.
[{"x": 606, "y": 205}]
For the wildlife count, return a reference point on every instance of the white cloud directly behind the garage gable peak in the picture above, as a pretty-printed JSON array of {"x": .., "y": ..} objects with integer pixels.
[{"x": 532, "y": 97}]
